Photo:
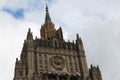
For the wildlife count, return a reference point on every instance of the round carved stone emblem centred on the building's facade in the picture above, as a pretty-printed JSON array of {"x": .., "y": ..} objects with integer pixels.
[{"x": 58, "y": 62}]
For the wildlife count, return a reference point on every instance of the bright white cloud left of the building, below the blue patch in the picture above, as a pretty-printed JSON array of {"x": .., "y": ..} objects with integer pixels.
[{"x": 12, "y": 33}]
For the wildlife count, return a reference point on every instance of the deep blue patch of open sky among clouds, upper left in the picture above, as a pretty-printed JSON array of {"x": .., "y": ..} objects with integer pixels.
[{"x": 18, "y": 14}]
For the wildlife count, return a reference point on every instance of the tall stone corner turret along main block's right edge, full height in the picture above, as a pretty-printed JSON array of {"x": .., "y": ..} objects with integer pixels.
[{"x": 82, "y": 58}]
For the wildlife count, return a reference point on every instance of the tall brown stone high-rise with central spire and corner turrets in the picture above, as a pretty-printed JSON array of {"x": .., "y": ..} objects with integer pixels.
[{"x": 52, "y": 58}]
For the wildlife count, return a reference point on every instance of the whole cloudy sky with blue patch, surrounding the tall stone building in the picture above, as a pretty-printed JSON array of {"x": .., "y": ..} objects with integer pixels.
[{"x": 96, "y": 21}]
